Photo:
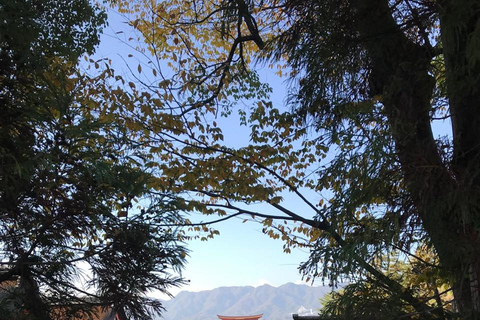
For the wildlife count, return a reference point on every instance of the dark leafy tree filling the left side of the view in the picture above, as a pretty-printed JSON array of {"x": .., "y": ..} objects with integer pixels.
[{"x": 71, "y": 235}]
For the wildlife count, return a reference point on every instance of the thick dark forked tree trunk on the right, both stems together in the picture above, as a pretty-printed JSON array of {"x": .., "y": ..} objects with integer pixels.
[{"x": 446, "y": 200}]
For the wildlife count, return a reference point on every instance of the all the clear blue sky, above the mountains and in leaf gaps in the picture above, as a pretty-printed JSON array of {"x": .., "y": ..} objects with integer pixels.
[{"x": 242, "y": 255}]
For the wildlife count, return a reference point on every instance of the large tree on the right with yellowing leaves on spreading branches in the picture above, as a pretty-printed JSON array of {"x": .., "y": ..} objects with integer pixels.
[{"x": 368, "y": 81}]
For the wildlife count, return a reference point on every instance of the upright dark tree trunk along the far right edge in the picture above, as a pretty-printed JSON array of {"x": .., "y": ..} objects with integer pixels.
[{"x": 459, "y": 25}]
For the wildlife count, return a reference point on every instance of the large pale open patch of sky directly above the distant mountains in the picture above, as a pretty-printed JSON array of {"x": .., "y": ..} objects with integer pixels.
[{"x": 241, "y": 255}]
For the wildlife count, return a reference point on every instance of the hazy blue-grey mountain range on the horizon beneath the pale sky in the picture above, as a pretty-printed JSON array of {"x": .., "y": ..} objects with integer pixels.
[{"x": 275, "y": 303}]
